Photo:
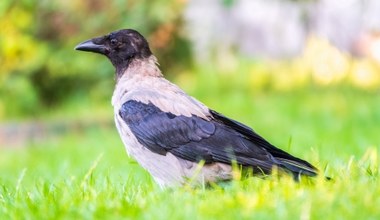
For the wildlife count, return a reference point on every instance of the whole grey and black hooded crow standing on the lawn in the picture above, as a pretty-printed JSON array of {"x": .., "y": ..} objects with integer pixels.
[{"x": 172, "y": 135}]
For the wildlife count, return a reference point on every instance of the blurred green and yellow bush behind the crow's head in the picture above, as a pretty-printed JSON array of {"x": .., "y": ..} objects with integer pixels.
[{"x": 38, "y": 66}]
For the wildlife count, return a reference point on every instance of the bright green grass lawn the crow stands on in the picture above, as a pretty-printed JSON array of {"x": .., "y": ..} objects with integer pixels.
[{"x": 88, "y": 175}]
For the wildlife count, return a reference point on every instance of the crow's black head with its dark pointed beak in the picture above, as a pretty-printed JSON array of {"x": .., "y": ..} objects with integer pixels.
[{"x": 121, "y": 47}]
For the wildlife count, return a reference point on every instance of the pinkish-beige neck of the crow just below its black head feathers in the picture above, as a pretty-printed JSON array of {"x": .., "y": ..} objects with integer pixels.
[{"x": 142, "y": 67}]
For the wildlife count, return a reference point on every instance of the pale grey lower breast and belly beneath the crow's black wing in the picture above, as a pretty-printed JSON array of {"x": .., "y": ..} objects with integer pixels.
[{"x": 169, "y": 170}]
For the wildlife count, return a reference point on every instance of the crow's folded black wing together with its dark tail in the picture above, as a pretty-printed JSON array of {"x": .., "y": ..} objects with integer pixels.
[{"x": 194, "y": 139}]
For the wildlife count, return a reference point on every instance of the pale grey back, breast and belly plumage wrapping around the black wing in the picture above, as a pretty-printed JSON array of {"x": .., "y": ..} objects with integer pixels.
[{"x": 167, "y": 170}]
